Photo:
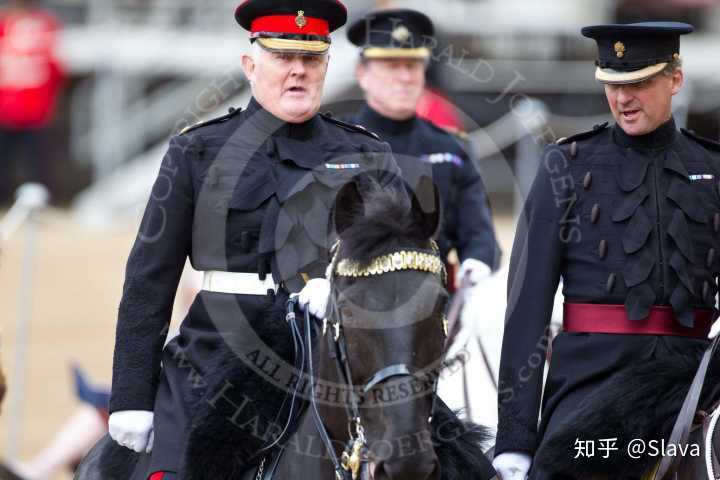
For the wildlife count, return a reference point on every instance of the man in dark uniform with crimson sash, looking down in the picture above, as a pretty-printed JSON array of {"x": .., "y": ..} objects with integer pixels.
[{"x": 628, "y": 215}]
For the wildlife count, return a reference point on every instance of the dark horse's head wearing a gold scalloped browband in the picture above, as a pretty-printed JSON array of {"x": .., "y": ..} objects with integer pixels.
[{"x": 387, "y": 314}]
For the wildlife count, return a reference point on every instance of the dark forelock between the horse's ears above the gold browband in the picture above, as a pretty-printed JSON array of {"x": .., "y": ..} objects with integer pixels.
[{"x": 382, "y": 221}]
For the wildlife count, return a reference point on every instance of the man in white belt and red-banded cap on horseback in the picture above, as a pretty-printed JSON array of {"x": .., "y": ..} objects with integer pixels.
[{"x": 247, "y": 198}]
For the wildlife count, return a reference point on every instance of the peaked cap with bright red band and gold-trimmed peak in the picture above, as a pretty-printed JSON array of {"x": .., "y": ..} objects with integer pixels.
[{"x": 301, "y": 26}]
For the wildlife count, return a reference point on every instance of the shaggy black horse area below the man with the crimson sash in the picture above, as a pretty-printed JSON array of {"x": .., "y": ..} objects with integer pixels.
[{"x": 655, "y": 404}]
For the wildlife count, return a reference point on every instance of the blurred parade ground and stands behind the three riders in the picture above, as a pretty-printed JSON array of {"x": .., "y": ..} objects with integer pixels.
[{"x": 91, "y": 90}]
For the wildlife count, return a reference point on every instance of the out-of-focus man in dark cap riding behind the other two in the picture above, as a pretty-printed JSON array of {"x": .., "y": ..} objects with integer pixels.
[{"x": 394, "y": 55}]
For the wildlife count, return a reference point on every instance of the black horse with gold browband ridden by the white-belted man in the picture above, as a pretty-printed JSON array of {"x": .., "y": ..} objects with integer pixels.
[{"x": 368, "y": 407}]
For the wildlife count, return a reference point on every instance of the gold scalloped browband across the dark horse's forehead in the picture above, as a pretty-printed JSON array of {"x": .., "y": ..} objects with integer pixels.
[{"x": 393, "y": 262}]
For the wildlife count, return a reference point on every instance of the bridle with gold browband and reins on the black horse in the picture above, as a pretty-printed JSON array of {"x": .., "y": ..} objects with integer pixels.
[{"x": 424, "y": 260}]
